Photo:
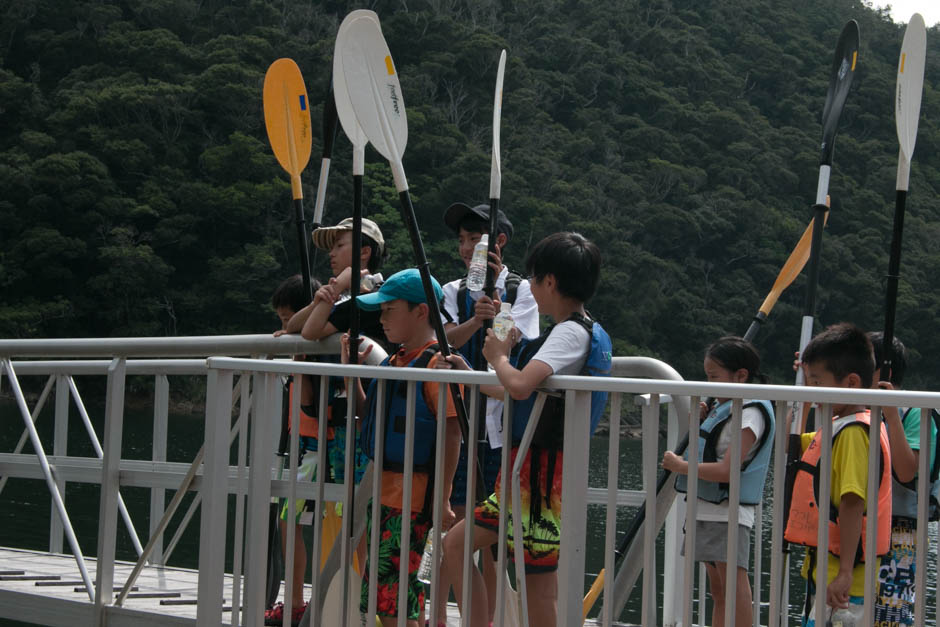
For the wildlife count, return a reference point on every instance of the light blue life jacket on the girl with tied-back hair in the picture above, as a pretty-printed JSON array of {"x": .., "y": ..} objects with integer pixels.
[{"x": 753, "y": 471}]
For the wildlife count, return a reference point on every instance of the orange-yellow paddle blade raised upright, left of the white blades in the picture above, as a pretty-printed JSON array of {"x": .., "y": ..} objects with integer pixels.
[{"x": 287, "y": 117}]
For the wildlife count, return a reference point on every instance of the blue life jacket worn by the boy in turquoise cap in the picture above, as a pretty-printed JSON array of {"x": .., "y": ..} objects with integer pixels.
[{"x": 396, "y": 407}]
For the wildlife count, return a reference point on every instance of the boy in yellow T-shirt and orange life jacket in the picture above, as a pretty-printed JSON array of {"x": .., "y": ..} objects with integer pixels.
[{"x": 840, "y": 357}]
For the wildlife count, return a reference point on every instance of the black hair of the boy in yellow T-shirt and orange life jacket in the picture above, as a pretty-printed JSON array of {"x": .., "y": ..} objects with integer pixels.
[{"x": 844, "y": 349}]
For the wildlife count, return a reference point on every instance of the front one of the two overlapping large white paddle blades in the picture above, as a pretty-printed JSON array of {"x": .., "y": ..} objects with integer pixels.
[{"x": 374, "y": 89}]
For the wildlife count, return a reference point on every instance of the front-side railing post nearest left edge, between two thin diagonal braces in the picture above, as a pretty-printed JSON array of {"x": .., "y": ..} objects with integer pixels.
[{"x": 110, "y": 486}]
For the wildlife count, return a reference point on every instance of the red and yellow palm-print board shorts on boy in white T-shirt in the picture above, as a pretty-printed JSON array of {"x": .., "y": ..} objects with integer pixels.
[{"x": 541, "y": 509}]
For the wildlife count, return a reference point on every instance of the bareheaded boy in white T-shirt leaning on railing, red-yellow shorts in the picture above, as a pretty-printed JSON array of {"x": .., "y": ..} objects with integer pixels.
[{"x": 564, "y": 270}]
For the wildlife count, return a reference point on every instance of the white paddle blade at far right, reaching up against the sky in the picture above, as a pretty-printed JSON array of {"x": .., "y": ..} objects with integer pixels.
[{"x": 910, "y": 86}]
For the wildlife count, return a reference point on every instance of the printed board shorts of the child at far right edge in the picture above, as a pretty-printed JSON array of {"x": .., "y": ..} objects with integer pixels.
[{"x": 894, "y": 604}]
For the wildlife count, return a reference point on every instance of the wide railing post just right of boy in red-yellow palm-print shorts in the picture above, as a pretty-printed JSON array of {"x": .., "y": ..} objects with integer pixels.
[{"x": 574, "y": 484}]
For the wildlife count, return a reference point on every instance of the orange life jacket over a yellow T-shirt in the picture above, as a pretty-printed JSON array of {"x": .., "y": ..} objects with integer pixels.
[{"x": 803, "y": 522}]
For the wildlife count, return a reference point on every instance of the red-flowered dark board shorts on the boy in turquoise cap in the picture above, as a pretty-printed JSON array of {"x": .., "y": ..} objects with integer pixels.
[{"x": 389, "y": 555}]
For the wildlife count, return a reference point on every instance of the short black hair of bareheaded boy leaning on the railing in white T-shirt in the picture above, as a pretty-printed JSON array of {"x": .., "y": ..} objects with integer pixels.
[{"x": 572, "y": 259}]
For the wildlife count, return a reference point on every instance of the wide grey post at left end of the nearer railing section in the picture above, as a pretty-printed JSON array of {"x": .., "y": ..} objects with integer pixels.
[{"x": 214, "y": 498}]
